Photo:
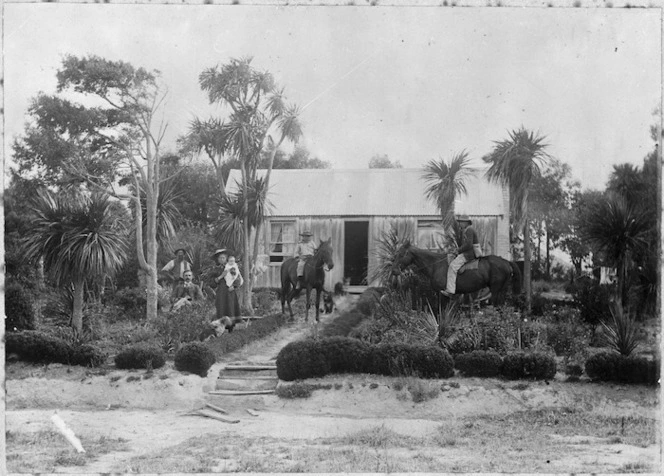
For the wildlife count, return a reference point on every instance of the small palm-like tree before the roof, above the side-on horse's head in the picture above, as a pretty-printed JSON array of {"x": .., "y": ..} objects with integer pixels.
[{"x": 445, "y": 181}]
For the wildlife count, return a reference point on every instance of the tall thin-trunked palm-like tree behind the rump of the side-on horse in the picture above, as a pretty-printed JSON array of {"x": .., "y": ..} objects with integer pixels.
[{"x": 515, "y": 162}]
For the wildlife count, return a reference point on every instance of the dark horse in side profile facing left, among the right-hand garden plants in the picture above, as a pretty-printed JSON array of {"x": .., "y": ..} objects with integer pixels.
[{"x": 493, "y": 272}]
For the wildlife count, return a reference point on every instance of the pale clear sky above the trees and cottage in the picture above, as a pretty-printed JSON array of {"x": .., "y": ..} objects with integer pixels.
[{"x": 415, "y": 83}]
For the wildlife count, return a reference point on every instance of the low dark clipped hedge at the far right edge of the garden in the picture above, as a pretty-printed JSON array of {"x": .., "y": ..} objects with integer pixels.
[{"x": 609, "y": 366}]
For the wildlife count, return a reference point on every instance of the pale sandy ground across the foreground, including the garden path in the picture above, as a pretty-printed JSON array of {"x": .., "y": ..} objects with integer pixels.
[{"x": 360, "y": 423}]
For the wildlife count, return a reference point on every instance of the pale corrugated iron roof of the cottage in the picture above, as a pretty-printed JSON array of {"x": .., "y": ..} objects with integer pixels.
[{"x": 368, "y": 192}]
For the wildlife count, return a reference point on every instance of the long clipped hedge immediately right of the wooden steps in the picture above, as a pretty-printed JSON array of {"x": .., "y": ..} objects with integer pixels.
[{"x": 317, "y": 358}]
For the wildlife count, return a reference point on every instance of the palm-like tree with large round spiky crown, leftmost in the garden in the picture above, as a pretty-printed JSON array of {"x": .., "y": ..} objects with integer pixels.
[{"x": 79, "y": 237}]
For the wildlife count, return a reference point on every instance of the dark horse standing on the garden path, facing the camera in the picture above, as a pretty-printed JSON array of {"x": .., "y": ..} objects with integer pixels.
[{"x": 314, "y": 277}]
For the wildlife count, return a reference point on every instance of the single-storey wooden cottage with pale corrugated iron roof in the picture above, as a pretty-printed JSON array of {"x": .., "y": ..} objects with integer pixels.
[{"x": 355, "y": 207}]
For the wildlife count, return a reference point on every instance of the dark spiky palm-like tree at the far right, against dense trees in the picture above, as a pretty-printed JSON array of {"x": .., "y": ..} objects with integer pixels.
[{"x": 620, "y": 230}]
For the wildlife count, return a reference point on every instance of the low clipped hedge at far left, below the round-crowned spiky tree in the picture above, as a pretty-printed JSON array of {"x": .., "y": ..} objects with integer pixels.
[{"x": 35, "y": 346}]
